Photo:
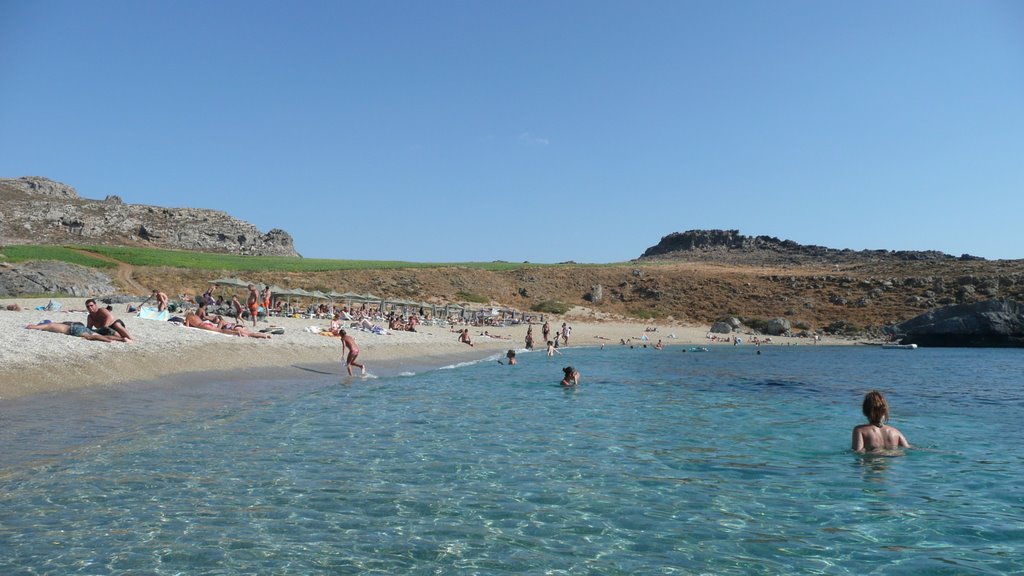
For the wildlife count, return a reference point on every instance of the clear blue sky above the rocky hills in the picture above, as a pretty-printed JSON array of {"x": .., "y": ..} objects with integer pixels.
[{"x": 540, "y": 132}]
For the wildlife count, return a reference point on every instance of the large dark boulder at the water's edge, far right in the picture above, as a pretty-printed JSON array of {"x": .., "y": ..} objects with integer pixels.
[{"x": 991, "y": 323}]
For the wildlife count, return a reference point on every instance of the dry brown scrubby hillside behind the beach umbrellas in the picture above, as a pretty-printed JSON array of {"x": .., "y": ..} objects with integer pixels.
[{"x": 845, "y": 298}]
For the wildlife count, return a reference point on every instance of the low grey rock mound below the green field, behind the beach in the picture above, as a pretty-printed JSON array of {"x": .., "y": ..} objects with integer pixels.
[{"x": 52, "y": 277}]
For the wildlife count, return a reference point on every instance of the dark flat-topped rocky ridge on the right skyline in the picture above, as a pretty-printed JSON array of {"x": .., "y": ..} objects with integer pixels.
[{"x": 729, "y": 246}]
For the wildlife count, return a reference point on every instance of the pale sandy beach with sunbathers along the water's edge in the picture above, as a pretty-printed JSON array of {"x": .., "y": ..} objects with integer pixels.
[{"x": 34, "y": 361}]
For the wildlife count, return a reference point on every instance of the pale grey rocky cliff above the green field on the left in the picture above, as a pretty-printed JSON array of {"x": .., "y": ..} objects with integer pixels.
[{"x": 37, "y": 211}]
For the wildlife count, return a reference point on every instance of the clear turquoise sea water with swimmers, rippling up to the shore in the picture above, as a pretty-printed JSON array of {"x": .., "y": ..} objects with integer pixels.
[{"x": 661, "y": 463}]
